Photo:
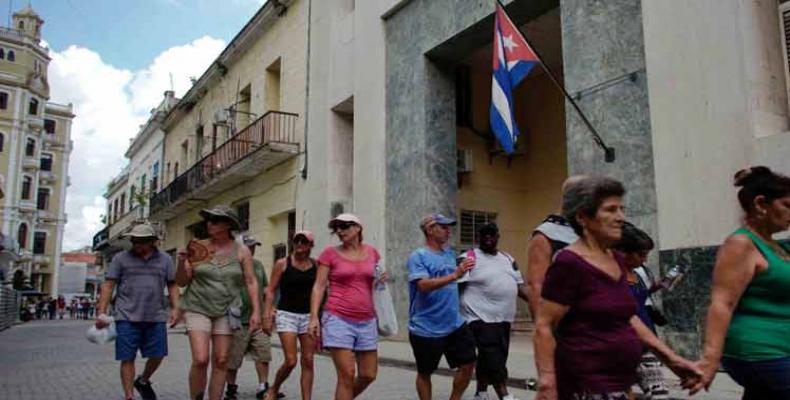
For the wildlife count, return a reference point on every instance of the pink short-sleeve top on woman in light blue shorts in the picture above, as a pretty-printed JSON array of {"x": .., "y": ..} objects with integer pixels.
[{"x": 350, "y": 284}]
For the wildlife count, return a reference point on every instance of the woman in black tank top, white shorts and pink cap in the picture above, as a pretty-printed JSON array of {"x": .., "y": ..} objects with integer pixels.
[{"x": 294, "y": 276}]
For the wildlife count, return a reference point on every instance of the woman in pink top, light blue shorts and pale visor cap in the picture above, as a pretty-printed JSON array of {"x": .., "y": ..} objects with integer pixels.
[{"x": 349, "y": 328}]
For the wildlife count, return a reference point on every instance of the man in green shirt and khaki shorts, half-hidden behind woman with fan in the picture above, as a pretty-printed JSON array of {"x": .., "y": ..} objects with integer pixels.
[{"x": 257, "y": 344}]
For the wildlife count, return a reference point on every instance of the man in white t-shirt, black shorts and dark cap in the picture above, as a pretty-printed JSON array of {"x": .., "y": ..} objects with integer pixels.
[{"x": 488, "y": 303}]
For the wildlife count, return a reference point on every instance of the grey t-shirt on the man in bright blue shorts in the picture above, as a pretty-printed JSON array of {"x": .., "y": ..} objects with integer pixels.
[{"x": 141, "y": 286}]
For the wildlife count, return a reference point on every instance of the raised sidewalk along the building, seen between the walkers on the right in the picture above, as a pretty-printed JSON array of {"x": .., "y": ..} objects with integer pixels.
[{"x": 521, "y": 366}]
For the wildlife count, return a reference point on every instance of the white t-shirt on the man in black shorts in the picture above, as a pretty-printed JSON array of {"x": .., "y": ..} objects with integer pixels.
[{"x": 491, "y": 288}]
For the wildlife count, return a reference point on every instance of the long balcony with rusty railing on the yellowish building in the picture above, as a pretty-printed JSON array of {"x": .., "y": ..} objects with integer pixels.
[{"x": 265, "y": 143}]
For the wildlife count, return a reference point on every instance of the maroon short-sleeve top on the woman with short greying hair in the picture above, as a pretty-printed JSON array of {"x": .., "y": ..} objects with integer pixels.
[{"x": 597, "y": 349}]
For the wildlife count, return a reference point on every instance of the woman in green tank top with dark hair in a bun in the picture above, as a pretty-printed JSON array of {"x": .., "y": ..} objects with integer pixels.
[{"x": 748, "y": 323}]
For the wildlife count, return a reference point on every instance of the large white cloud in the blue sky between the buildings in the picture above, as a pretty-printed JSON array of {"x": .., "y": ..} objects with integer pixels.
[{"x": 110, "y": 104}]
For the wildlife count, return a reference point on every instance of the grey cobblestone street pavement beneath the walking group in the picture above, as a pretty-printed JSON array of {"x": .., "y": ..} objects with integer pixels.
[{"x": 52, "y": 360}]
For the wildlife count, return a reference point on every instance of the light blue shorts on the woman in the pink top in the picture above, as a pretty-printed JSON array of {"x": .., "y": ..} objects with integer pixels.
[{"x": 340, "y": 333}]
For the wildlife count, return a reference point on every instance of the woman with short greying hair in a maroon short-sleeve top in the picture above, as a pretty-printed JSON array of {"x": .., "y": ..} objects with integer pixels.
[{"x": 588, "y": 339}]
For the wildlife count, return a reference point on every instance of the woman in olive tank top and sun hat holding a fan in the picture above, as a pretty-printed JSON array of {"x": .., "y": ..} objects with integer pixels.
[{"x": 214, "y": 272}]
